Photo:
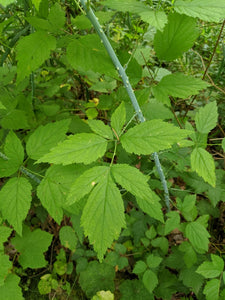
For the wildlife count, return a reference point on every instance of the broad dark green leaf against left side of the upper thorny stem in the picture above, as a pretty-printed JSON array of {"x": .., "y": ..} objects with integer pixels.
[{"x": 87, "y": 53}]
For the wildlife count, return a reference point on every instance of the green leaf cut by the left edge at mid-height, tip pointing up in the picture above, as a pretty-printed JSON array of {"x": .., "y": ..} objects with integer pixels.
[{"x": 14, "y": 155}]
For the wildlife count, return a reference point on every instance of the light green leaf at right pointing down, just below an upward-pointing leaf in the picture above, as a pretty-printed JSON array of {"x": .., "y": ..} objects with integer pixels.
[{"x": 203, "y": 164}]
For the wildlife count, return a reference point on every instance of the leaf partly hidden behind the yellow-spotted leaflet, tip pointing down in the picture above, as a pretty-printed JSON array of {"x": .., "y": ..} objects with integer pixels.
[{"x": 54, "y": 188}]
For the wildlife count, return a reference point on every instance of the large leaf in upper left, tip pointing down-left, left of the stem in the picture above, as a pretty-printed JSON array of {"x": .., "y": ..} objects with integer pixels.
[{"x": 32, "y": 51}]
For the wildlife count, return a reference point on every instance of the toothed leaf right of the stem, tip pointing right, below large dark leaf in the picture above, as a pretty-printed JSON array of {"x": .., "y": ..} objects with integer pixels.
[{"x": 177, "y": 85}]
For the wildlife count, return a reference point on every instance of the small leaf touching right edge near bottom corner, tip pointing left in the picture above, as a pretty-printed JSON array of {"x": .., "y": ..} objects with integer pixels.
[{"x": 211, "y": 269}]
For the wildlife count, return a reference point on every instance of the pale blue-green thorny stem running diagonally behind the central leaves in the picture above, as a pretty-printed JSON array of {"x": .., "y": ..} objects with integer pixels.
[{"x": 91, "y": 16}]
